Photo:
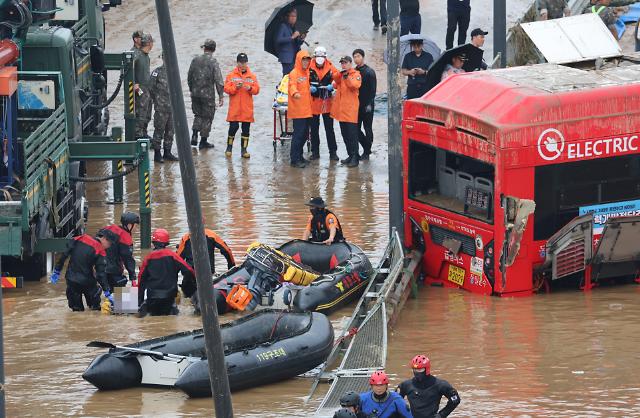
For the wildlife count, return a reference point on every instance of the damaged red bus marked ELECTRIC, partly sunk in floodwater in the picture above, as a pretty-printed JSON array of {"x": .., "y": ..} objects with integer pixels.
[{"x": 524, "y": 177}]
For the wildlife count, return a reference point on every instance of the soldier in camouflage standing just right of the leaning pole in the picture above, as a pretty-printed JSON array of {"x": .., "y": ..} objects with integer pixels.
[{"x": 204, "y": 80}]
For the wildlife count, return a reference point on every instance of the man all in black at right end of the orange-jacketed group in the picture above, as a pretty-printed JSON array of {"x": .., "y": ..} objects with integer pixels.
[{"x": 367, "y": 95}]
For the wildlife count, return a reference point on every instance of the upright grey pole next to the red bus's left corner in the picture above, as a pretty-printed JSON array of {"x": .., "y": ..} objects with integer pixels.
[{"x": 394, "y": 117}]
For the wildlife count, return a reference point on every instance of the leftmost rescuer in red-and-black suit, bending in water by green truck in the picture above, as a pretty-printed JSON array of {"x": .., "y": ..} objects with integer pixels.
[{"x": 87, "y": 262}]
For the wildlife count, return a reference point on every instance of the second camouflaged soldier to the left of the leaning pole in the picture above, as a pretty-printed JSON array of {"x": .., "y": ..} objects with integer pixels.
[{"x": 142, "y": 75}]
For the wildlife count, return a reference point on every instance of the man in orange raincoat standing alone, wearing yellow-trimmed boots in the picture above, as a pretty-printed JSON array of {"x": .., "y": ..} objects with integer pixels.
[{"x": 241, "y": 85}]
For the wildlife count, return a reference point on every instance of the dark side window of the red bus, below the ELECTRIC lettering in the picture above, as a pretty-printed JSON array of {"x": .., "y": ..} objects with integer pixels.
[{"x": 561, "y": 189}]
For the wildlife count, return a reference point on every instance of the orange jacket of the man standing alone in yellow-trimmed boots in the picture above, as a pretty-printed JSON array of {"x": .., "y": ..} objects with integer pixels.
[{"x": 241, "y": 98}]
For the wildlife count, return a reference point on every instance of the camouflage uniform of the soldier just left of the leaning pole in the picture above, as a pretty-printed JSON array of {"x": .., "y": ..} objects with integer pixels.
[{"x": 162, "y": 117}]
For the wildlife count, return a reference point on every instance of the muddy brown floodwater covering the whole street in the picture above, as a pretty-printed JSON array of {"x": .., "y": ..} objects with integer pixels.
[{"x": 566, "y": 354}]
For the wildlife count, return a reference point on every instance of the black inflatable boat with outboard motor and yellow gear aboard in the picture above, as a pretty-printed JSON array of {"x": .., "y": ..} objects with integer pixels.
[{"x": 306, "y": 276}]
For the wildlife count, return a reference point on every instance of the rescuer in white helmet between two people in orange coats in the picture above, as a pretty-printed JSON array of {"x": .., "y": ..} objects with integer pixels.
[{"x": 321, "y": 75}]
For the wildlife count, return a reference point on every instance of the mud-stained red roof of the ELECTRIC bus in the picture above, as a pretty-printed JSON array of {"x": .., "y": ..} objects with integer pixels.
[{"x": 532, "y": 95}]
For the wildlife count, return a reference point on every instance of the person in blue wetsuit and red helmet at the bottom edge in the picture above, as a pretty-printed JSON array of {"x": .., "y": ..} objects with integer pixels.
[{"x": 379, "y": 402}]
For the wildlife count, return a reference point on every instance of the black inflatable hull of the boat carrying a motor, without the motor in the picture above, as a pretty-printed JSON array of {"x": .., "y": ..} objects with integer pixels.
[{"x": 344, "y": 271}]
